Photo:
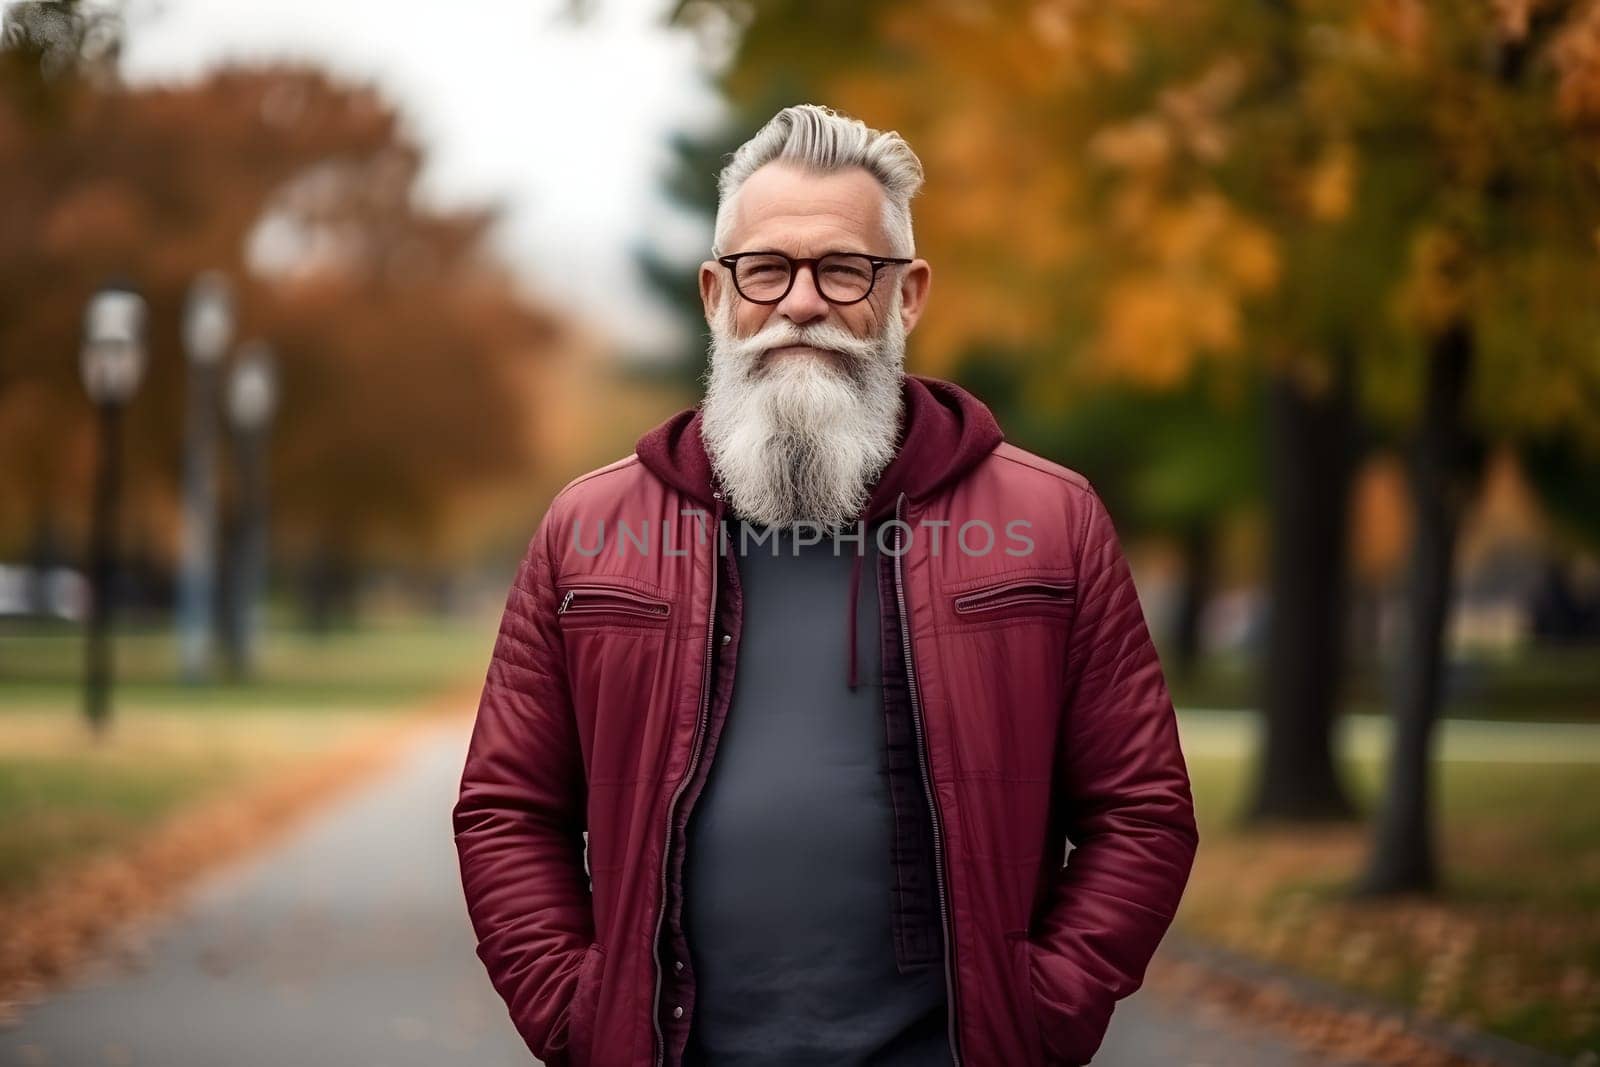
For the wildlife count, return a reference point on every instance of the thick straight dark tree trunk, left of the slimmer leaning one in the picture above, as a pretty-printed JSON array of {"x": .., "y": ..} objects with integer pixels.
[{"x": 1310, "y": 478}]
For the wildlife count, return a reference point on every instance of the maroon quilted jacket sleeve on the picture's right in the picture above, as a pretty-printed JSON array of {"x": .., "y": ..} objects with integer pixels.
[{"x": 1122, "y": 794}]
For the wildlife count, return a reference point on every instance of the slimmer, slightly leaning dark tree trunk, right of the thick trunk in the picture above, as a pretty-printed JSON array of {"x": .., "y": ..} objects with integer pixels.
[{"x": 1404, "y": 852}]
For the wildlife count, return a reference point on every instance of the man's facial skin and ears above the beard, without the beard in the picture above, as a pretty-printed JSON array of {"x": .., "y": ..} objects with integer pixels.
[{"x": 785, "y": 209}]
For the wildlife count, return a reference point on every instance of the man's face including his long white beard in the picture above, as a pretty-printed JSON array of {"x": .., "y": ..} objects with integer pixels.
[{"x": 804, "y": 398}]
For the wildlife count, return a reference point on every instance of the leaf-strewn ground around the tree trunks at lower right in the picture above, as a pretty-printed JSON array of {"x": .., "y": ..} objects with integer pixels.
[{"x": 1476, "y": 954}]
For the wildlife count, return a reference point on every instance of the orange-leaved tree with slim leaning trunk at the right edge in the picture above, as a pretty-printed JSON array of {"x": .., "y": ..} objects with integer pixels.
[{"x": 1500, "y": 106}]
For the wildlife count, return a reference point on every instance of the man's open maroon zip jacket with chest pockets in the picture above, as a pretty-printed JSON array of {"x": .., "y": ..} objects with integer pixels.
[{"x": 1034, "y": 701}]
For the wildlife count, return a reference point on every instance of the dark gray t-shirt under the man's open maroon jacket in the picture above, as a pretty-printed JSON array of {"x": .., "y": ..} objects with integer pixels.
[{"x": 788, "y": 868}]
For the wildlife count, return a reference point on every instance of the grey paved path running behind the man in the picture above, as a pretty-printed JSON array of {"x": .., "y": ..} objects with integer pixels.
[{"x": 348, "y": 946}]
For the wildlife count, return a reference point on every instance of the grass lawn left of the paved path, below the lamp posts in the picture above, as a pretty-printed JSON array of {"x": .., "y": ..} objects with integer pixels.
[{"x": 66, "y": 796}]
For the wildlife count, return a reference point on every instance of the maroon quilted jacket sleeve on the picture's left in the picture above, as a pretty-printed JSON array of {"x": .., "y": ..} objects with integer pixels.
[{"x": 521, "y": 817}]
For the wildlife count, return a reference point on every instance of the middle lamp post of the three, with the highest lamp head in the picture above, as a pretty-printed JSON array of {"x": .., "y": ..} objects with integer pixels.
[{"x": 209, "y": 327}]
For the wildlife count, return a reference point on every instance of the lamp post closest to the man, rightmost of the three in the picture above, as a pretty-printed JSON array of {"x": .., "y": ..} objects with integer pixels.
[{"x": 252, "y": 401}]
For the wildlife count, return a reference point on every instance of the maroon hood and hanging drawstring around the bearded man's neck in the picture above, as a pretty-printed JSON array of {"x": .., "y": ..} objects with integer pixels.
[{"x": 945, "y": 433}]
